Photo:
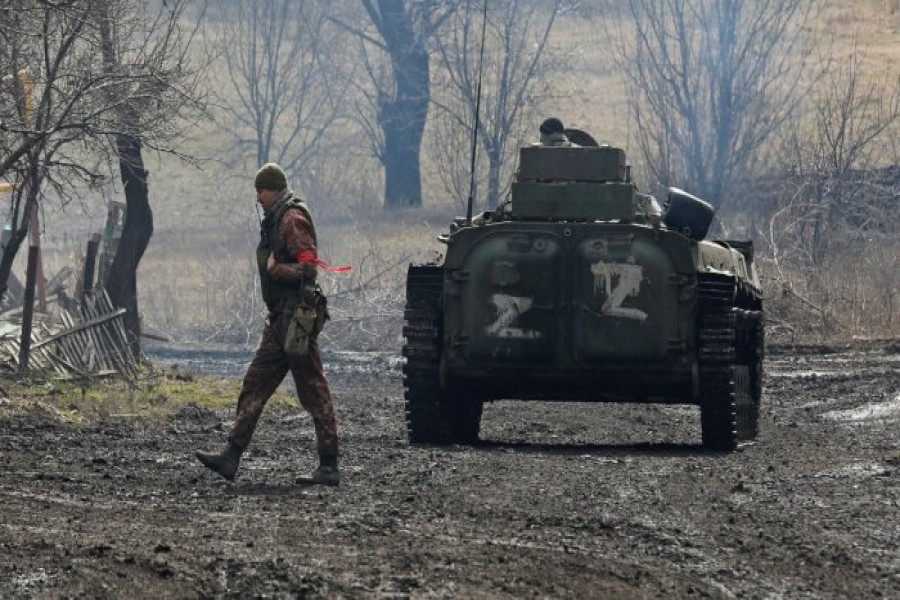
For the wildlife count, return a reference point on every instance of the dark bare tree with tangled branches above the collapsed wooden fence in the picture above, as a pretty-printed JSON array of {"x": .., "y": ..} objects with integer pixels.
[{"x": 110, "y": 76}]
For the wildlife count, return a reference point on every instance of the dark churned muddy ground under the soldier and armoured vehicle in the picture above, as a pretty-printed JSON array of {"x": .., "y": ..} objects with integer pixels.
[{"x": 560, "y": 501}]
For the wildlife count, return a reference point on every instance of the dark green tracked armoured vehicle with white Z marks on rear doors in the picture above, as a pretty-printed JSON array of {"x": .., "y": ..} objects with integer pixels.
[{"x": 582, "y": 288}]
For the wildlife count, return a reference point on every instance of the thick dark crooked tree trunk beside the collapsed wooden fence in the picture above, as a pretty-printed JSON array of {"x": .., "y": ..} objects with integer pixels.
[{"x": 121, "y": 284}]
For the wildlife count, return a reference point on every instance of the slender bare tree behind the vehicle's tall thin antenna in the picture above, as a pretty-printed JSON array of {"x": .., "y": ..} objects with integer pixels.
[{"x": 516, "y": 61}]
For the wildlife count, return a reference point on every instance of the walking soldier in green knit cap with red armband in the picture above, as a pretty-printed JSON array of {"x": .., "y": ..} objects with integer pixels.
[{"x": 287, "y": 262}]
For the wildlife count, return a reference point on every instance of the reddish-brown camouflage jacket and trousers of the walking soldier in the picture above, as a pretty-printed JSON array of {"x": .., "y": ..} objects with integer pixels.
[{"x": 286, "y": 231}]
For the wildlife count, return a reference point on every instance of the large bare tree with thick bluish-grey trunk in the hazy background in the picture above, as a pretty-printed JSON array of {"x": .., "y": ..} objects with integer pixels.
[{"x": 399, "y": 88}]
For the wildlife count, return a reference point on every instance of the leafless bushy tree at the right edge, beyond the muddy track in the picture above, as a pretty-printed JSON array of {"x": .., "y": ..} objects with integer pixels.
[{"x": 833, "y": 234}]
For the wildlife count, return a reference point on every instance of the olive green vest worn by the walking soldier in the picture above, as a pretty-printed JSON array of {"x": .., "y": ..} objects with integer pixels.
[{"x": 280, "y": 296}]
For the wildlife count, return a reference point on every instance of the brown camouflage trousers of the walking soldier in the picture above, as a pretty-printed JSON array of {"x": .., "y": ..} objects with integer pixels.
[{"x": 266, "y": 372}]
